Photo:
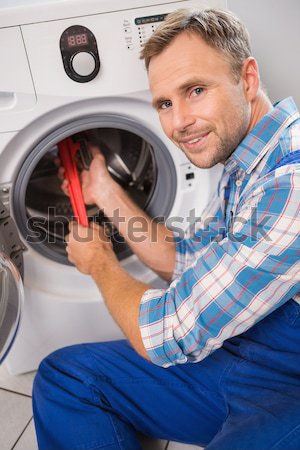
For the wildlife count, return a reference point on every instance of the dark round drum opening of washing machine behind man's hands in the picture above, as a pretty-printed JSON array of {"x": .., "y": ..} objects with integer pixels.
[{"x": 43, "y": 212}]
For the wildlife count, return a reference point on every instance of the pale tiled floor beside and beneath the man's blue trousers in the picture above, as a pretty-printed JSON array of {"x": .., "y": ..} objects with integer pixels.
[{"x": 17, "y": 428}]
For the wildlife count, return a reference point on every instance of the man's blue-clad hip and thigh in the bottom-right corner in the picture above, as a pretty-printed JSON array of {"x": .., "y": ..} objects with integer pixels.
[{"x": 262, "y": 390}]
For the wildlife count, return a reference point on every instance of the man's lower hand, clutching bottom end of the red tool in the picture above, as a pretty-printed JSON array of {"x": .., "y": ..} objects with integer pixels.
[{"x": 89, "y": 248}]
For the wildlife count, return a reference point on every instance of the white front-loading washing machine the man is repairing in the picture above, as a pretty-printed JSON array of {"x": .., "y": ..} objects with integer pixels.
[{"x": 72, "y": 69}]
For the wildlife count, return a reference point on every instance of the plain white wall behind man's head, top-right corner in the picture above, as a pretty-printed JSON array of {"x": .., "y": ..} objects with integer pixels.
[{"x": 274, "y": 27}]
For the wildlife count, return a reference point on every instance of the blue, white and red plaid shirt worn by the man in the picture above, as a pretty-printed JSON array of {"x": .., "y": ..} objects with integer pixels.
[{"x": 240, "y": 261}]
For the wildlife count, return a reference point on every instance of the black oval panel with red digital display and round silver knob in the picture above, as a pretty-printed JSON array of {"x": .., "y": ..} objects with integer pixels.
[{"x": 79, "y": 53}]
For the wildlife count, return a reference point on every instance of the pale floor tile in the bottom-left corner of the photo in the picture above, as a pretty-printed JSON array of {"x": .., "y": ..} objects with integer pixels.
[{"x": 15, "y": 414}]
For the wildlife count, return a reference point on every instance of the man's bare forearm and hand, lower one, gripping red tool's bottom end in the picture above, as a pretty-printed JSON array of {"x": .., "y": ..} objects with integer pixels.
[{"x": 92, "y": 253}]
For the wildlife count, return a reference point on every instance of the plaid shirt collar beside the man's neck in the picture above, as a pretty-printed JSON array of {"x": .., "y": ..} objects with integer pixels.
[{"x": 262, "y": 137}]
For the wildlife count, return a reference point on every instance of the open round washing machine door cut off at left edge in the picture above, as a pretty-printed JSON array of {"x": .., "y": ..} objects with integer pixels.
[{"x": 11, "y": 285}]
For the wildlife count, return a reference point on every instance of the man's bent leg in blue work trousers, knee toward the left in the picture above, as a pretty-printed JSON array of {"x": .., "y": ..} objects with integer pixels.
[{"x": 94, "y": 396}]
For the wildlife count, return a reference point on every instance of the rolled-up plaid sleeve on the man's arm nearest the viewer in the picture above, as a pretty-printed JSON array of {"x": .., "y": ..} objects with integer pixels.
[{"x": 233, "y": 283}]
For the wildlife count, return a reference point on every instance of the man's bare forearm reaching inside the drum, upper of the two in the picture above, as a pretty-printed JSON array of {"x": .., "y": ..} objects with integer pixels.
[{"x": 154, "y": 244}]
